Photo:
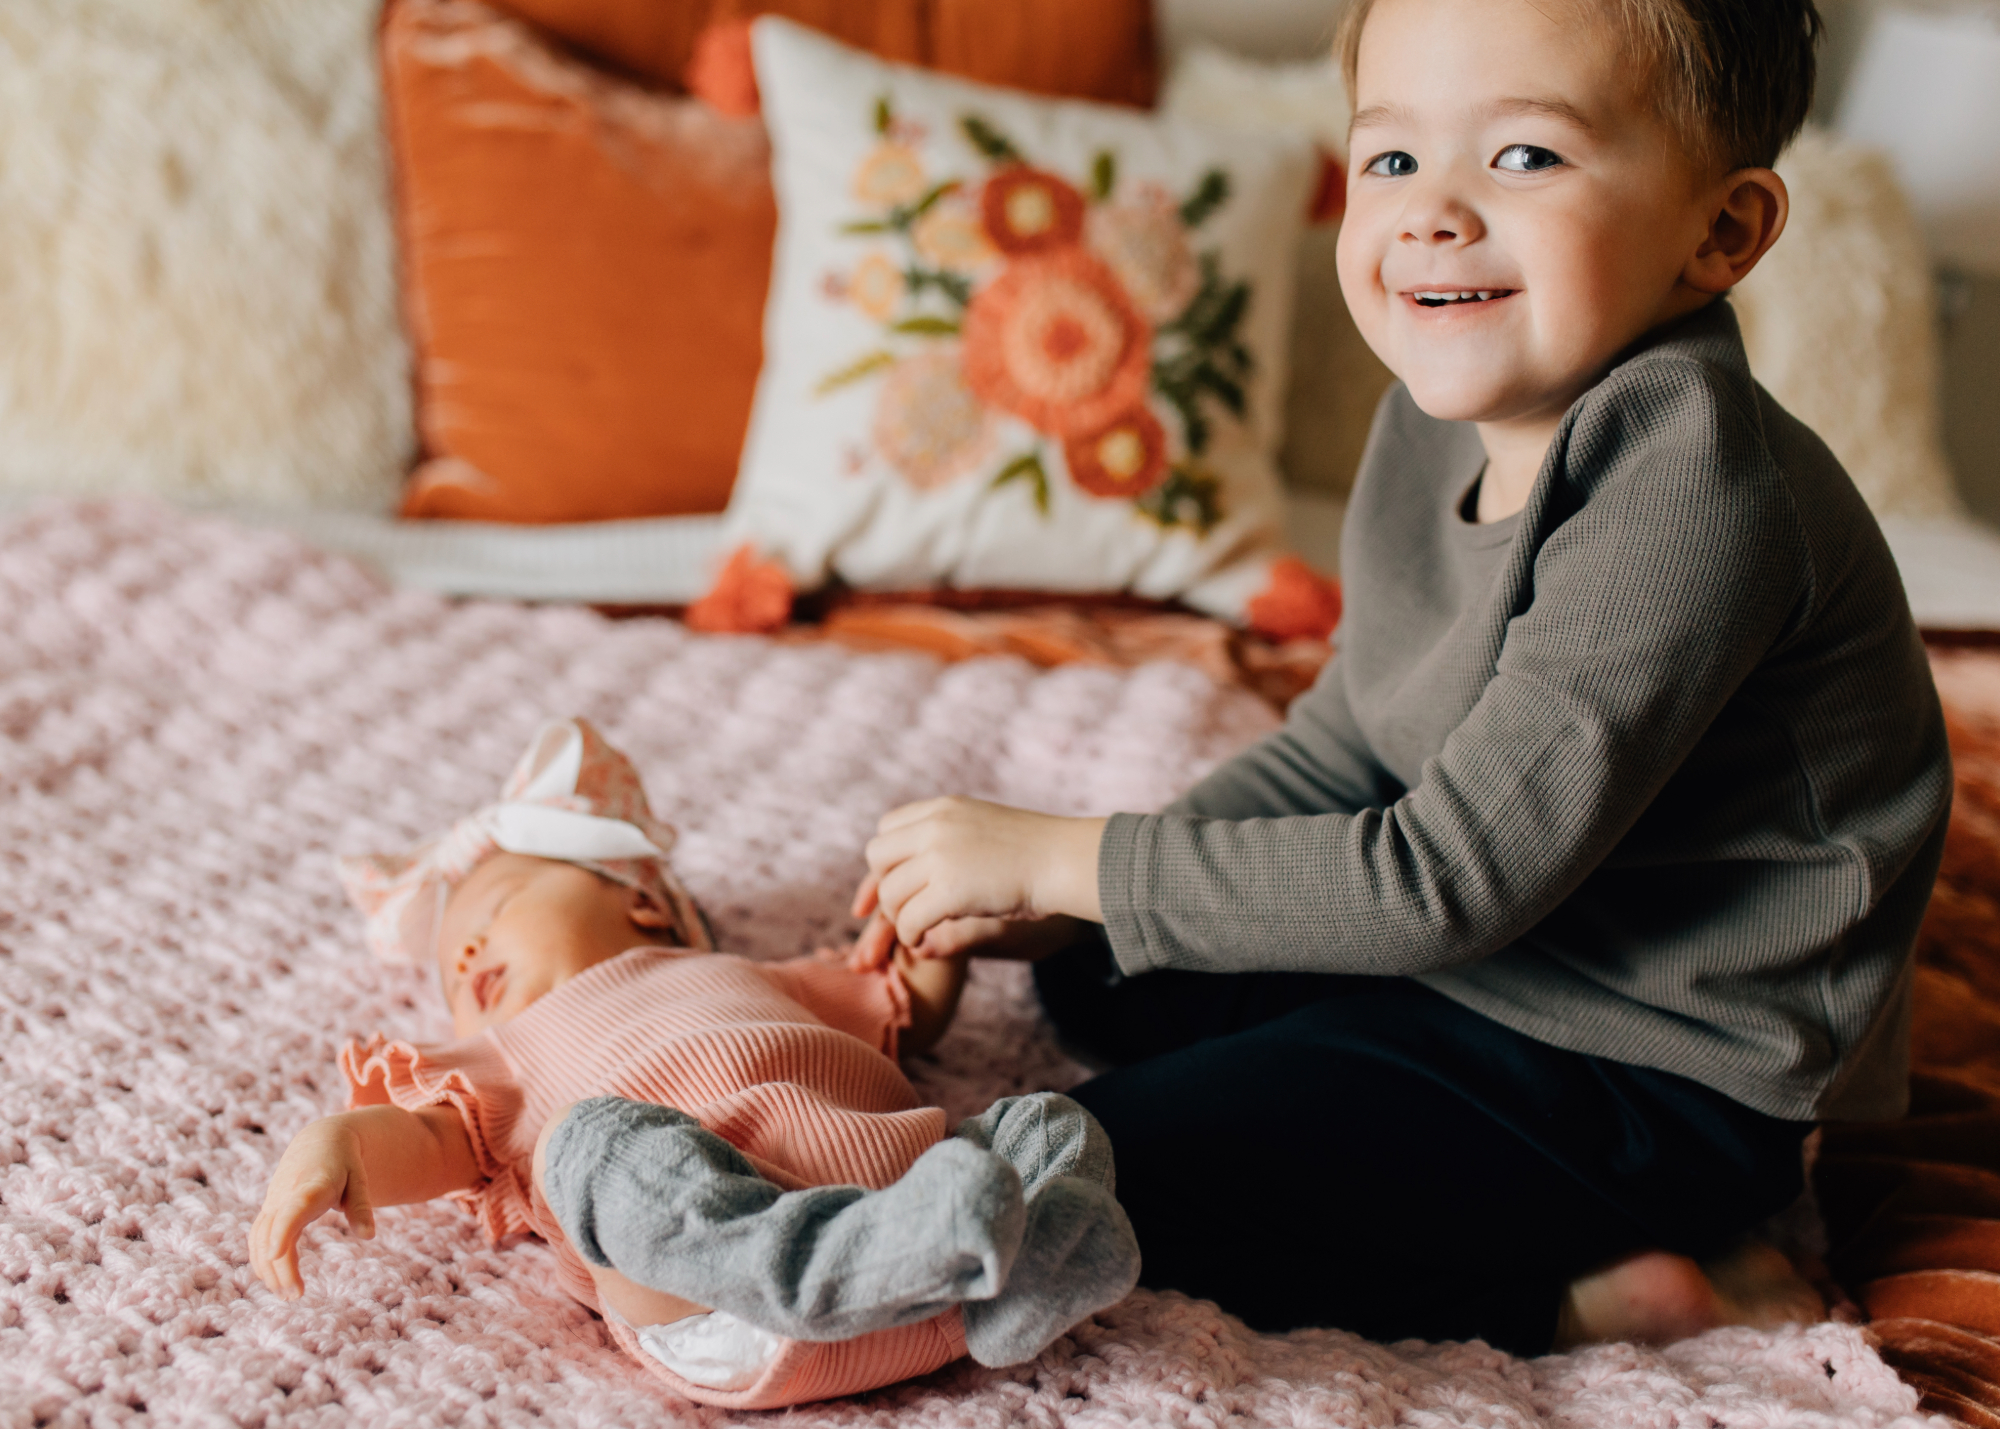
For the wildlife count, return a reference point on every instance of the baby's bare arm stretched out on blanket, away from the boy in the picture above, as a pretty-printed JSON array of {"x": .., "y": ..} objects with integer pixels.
[{"x": 357, "y": 1162}]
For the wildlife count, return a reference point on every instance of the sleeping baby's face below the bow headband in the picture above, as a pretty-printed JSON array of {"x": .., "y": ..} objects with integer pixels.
[{"x": 521, "y": 928}]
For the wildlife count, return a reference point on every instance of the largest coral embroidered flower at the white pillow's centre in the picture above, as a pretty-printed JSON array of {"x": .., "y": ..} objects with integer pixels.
[{"x": 1059, "y": 343}]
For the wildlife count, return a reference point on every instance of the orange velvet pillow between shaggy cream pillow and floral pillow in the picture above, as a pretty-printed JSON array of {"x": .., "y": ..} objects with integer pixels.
[{"x": 585, "y": 271}]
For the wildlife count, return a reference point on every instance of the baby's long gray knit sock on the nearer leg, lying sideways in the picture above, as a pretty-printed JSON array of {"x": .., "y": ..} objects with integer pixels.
[{"x": 649, "y": 1192}]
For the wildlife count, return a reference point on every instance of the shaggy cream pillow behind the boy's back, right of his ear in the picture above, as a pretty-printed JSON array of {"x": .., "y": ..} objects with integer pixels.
[{"x": 1841, "y": 325}]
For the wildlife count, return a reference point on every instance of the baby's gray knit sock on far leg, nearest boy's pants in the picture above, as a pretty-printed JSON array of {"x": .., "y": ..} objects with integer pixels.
[{"x": 1077, "y": 1254}]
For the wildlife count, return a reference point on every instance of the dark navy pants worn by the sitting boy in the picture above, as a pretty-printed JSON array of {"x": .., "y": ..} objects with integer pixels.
[{"x": 1371, "y": 1156}]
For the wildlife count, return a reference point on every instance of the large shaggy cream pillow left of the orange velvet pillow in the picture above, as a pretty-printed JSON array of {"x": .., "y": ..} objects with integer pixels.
[{"x": 197, "y": 271}]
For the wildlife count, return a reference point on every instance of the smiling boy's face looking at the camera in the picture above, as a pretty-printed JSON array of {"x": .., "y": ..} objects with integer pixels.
[{"x": 1507, "y": 151}]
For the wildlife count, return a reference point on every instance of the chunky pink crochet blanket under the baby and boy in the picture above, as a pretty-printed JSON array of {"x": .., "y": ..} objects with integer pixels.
[{"x": 193, "y": 720}]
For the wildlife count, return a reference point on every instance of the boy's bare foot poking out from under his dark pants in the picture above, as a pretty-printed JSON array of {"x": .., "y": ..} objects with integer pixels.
[{"x": 1657, "y": 1298}]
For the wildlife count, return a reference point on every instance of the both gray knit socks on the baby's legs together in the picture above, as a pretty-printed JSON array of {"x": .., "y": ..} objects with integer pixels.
[{"x": 1013, "y": 1218}]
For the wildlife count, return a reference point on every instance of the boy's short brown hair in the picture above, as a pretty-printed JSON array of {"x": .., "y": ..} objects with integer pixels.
[{"x": 1731, "y": 77}]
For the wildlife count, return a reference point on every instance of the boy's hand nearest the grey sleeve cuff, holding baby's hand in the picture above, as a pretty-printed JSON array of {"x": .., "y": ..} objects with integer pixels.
[{"x": 949, "y": 860}]
